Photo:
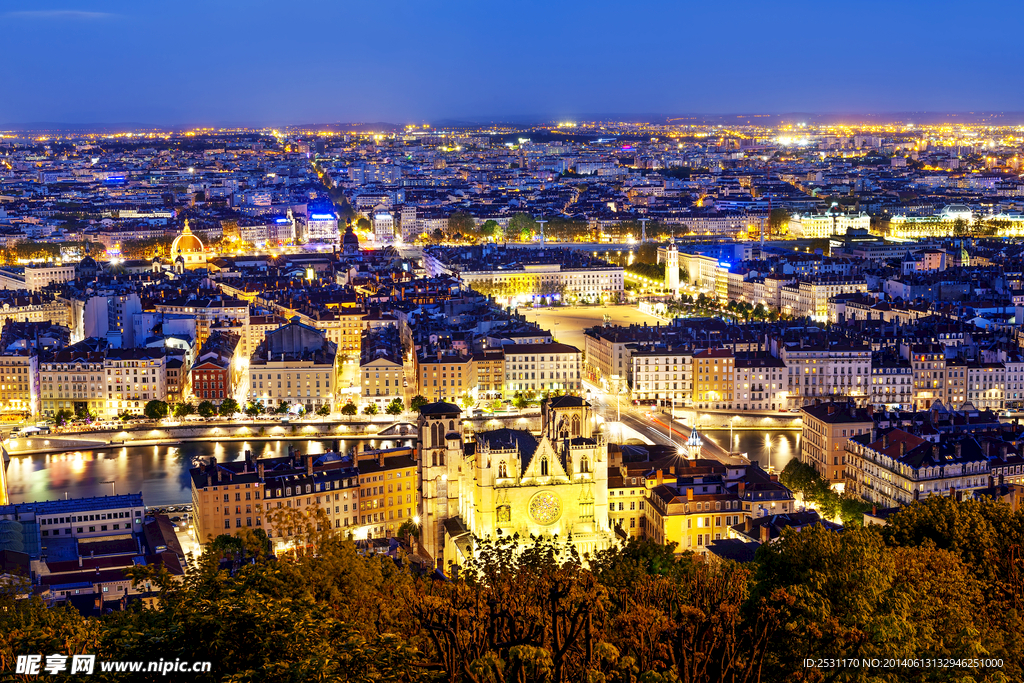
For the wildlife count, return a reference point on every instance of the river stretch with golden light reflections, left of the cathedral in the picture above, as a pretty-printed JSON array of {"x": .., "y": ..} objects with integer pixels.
[{"x": 160, "y": 473}]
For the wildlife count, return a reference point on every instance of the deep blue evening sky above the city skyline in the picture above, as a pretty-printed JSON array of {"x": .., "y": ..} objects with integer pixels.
[{"x": 253, "y": 62}]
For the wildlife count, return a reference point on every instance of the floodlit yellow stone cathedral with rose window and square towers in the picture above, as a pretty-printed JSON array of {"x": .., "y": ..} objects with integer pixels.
[{"x": 513, "y": 482}]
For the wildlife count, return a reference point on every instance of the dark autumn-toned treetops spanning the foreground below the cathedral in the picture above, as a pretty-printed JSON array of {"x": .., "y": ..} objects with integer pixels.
[{"x": 944, "y": 580}]
